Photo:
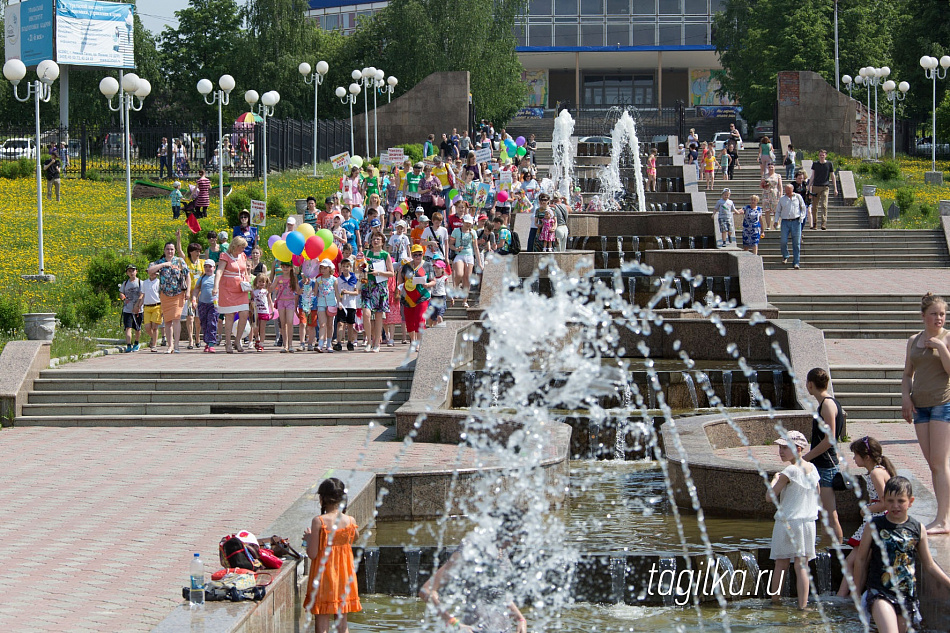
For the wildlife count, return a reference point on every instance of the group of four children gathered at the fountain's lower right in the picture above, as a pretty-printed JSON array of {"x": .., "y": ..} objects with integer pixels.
[{"x": 887, "y": 546}]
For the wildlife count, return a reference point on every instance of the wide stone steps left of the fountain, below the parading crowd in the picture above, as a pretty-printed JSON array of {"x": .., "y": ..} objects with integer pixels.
[{"x": 81, "y": 397}]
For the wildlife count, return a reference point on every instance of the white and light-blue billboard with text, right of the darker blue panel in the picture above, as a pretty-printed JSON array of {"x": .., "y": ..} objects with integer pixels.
[{"x": 90, "y": 33}]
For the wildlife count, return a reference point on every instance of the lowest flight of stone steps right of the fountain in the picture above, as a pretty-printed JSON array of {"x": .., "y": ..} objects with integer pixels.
[{"x": 869, "y": 392}]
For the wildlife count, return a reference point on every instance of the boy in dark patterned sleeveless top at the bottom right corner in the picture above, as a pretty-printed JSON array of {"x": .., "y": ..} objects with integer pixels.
[{"x": 891, "y": 596}]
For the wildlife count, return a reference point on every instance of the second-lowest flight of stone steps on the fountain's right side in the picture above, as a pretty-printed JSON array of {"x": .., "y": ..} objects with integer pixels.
[{"x": 854, "y": 316}]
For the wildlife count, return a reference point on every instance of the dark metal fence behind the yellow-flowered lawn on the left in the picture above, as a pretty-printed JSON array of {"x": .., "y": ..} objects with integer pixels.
[{"x": 84, "y": 148}]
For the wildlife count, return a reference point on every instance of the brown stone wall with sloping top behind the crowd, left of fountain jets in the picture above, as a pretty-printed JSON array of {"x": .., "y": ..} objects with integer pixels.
[{"x": 433, "y": 106}]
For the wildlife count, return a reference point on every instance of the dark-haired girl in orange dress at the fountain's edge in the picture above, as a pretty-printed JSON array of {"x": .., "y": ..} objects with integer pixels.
[{"x": 331, "y": 589}]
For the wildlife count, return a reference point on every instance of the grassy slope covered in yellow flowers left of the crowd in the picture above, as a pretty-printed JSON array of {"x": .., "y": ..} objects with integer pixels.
[{"x": 92, "y": 217}]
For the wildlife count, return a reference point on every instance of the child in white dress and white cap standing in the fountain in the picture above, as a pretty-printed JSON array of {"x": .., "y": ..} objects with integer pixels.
[{"x": 793, "y": 537}]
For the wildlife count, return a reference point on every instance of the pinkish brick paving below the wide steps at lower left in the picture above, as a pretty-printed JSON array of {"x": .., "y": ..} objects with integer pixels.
[{"x": 100, "y": 522}]
